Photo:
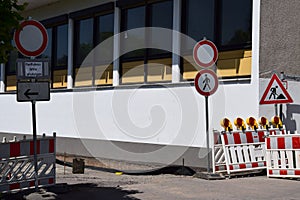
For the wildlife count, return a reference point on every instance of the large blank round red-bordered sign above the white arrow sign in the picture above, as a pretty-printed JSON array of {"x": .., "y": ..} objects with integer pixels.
[{"x": 31, "y": 39}]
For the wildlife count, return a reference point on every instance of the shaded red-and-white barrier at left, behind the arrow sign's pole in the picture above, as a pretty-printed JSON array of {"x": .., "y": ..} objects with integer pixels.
[{"x": 17, "y": 166}]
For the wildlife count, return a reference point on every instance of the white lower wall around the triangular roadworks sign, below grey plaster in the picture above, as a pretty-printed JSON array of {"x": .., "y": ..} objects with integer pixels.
[{"x": 291, "y": 111}]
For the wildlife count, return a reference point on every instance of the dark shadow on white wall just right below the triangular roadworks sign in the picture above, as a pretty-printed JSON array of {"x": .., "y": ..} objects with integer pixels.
[{"x": 288, "y": 119}]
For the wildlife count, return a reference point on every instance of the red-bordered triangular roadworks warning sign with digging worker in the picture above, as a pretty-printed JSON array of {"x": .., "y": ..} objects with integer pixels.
[{"x": 275, "y": 93}]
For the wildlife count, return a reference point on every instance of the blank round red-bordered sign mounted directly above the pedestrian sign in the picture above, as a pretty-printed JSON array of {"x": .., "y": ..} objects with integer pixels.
[{"x": 205, "y": 53}]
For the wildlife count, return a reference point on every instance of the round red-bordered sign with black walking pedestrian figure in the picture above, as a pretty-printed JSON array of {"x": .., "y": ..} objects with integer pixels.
[{"x": 206, "y": 82}]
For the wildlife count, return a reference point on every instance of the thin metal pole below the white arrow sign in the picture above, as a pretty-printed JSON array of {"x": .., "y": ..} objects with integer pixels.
[{"x": 34, "y": 144}]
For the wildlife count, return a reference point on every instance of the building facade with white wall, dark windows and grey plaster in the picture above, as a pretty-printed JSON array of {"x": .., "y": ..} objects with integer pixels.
[{"x": 122, "y": 74}]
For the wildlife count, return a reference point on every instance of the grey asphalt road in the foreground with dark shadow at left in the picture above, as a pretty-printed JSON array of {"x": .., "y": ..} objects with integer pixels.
[{"x": 109, "y": 186}]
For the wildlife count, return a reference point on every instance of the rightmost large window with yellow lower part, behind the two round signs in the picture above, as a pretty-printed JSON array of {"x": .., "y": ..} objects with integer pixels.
[{"x": 227, "y": 23}]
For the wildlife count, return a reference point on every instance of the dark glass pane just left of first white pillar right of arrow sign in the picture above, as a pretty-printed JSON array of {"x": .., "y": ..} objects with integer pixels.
[{"x": 62, "y": 46}]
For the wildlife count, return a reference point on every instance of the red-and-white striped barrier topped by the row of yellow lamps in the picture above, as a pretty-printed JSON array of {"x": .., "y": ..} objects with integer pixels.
[{"x": 239, "y": 151}]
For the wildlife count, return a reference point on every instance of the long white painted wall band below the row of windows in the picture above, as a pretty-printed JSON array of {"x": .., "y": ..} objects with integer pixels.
[{"x": 169, "y": 115}]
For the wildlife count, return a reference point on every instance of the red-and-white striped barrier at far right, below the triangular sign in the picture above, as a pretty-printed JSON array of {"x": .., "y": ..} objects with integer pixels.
[{"x": 283, "y": 156}]
